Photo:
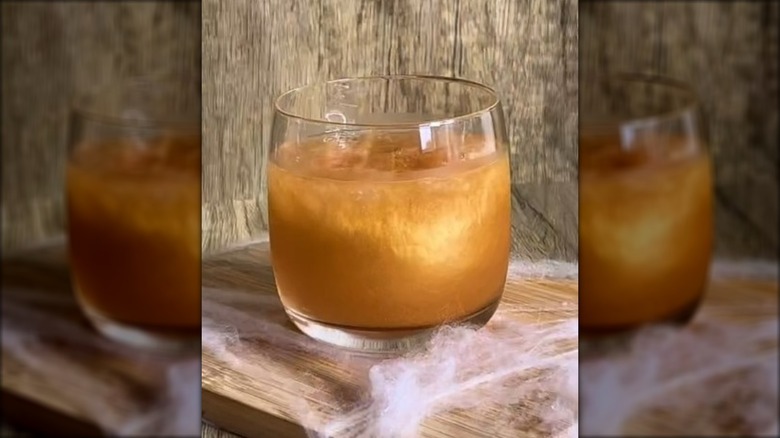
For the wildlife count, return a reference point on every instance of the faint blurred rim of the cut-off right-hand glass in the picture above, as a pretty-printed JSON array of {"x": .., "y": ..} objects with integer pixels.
[{"x": 690, "y": 104}]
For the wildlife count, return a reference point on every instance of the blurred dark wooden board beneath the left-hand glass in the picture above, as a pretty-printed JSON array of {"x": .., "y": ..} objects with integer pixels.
[{"x": 59, "y": 376}]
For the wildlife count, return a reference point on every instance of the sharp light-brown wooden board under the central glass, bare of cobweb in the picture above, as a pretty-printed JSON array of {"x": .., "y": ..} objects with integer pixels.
[{"x": 294, "y": 369}]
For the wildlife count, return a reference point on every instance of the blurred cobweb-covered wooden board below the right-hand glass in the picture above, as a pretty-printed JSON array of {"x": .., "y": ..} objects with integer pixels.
[{"x": 704, "y": 399}]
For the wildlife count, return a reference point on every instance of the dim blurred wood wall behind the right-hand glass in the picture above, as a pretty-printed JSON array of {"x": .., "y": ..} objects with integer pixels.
[{"x": 728, "y": 51}]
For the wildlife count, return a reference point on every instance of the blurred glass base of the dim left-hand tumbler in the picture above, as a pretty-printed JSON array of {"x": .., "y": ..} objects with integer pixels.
[{"x": 173, "y": 341}]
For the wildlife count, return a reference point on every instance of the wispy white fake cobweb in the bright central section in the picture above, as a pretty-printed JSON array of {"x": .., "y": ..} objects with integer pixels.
[{"x": 531, "y": 366}]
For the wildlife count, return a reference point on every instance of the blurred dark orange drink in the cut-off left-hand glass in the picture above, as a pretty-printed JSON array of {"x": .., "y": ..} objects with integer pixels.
[{"x": 134, "y": 224}]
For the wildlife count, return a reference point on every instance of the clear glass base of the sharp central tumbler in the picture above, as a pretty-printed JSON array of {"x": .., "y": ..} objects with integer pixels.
[{"x": 380, "y": 340}]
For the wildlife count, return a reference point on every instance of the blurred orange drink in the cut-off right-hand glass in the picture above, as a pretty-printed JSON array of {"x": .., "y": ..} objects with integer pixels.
[{"x": 646, "y": 231}]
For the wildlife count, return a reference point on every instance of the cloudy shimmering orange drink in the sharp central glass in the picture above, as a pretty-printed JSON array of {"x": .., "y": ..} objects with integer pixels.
[{"x": 380, "y": 235}]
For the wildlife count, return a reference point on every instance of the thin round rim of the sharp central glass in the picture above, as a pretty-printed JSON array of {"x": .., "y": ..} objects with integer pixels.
[{"x": 494, "y": 103}]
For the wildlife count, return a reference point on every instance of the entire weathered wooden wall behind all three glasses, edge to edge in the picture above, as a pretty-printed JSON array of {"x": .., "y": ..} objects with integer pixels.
[{"x": 528, "y": 50}]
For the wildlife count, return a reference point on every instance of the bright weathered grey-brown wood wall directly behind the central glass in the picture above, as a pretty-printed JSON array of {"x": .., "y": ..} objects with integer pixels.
[{"x": 527, "y": 50}]
